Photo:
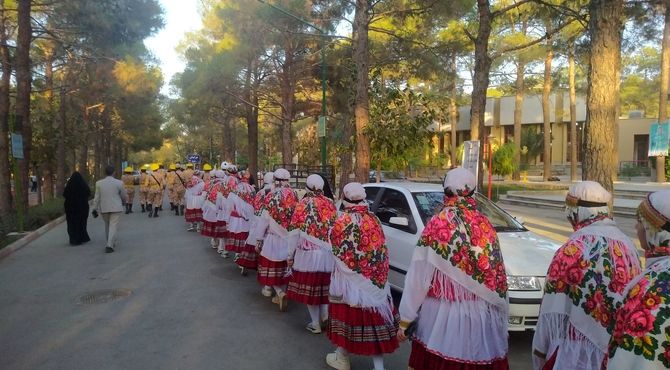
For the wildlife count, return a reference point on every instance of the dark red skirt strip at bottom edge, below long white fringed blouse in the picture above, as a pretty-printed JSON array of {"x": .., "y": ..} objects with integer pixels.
[{"x": 423, "y": 359}]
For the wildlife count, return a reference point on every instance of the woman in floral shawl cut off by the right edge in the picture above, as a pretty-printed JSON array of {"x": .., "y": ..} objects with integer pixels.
[{"x": 641, "y": 335}]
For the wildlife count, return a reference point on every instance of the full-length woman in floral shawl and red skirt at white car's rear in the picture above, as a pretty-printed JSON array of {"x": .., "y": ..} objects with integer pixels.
[{"x": 361, "y": 319}]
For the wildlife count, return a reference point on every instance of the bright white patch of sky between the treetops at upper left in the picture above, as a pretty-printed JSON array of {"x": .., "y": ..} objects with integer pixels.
[{"x": 181, "y": 17}]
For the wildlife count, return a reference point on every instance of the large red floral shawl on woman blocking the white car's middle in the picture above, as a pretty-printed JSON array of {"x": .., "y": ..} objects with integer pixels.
[{"x": 466, "y": 239}]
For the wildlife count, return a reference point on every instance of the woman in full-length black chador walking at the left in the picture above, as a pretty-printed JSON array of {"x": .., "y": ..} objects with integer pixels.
[{"x": 77, "y": 194}]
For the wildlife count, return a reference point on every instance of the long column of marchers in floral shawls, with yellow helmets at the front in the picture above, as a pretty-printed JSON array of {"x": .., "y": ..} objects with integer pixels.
[{"x": 601, "y": 310}]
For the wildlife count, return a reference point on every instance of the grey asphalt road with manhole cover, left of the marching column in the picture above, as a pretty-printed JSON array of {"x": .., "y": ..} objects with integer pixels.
[{"x": 187, "y": 308}]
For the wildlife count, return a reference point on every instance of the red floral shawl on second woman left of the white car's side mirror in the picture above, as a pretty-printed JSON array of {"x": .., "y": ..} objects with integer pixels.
[{"x": 314, "y": 215}]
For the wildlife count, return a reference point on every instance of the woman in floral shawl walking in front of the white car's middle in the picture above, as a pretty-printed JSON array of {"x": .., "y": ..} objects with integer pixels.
[{"x": 455, "y": 292}]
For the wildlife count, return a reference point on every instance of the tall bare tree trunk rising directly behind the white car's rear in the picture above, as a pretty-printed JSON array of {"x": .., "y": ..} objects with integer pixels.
[{"x": 362, "y": 103}]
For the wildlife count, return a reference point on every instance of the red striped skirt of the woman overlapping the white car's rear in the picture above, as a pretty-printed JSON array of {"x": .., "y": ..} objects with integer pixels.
[{"x": 361, "y": 331}]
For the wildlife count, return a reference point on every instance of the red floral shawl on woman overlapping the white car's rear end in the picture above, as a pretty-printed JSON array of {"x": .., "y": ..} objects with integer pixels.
[{"x": 358, "y": 241}]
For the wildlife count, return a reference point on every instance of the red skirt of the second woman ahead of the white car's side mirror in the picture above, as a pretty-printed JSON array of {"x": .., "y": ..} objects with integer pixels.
[{"x": 309, "y": 287}]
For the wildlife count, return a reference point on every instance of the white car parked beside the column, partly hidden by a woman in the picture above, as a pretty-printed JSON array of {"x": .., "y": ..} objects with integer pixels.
[{"x": 405, "y": 207}]
